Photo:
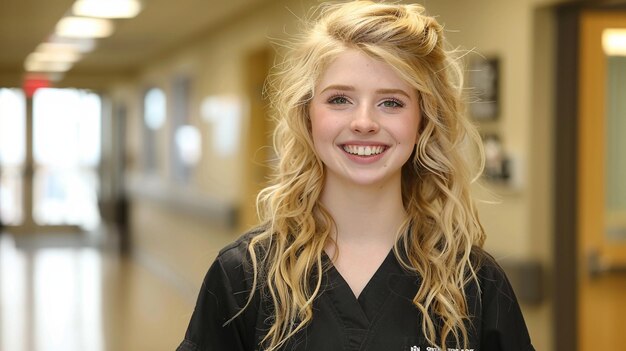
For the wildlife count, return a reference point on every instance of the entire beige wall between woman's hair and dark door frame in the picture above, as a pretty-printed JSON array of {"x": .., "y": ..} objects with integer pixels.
[{"x": 517, "y": 218}]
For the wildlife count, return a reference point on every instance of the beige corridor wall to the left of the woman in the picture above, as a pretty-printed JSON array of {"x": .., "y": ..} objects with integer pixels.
[{"x": 174, "y": 241}]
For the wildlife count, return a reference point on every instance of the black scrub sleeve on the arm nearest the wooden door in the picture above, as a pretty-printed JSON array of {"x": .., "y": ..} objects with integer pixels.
[{"x": 503, "y": 326}]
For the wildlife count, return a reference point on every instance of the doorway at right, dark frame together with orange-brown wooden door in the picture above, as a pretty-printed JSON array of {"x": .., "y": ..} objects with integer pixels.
[{"x": 590, "y": 224}]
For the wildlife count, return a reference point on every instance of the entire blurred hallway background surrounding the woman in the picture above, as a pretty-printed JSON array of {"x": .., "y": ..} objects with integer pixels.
[{"x": 134, "y": 138}]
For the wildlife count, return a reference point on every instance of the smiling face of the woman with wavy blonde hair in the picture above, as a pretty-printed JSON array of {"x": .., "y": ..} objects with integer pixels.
[{"x": 364, "y": 121}]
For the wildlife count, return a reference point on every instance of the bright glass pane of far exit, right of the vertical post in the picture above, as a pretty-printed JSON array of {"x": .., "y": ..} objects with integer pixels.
[{"x": 66, "y": 151}]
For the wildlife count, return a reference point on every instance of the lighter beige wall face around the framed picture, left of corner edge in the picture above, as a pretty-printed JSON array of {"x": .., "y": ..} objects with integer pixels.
[{"x": 501, "y": 29}]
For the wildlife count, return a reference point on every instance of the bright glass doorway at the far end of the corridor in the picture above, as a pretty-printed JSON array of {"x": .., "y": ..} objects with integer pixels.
[{"x": 49, "y": 157}]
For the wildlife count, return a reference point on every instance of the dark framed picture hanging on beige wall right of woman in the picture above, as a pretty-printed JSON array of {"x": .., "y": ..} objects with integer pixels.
[{"x": 483, "y": 82}]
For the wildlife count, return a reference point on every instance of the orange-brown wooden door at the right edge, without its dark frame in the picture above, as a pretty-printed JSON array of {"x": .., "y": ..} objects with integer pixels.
[{"x": 601, "y": 188}]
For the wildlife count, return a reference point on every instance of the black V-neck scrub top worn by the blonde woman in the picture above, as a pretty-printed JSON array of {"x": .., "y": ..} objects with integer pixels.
[{"x": 383, "y": 318}]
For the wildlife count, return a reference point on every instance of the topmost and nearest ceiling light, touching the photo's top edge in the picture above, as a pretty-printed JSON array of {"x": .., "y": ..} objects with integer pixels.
[{"x": 107, "y": 8}]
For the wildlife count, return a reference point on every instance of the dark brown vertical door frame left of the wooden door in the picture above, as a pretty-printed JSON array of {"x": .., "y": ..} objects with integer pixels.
[{"x": 565, "y": 177}]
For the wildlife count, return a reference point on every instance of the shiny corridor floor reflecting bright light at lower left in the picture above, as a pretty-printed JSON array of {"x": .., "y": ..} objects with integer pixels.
[{"x": 62, "y": 296}]
